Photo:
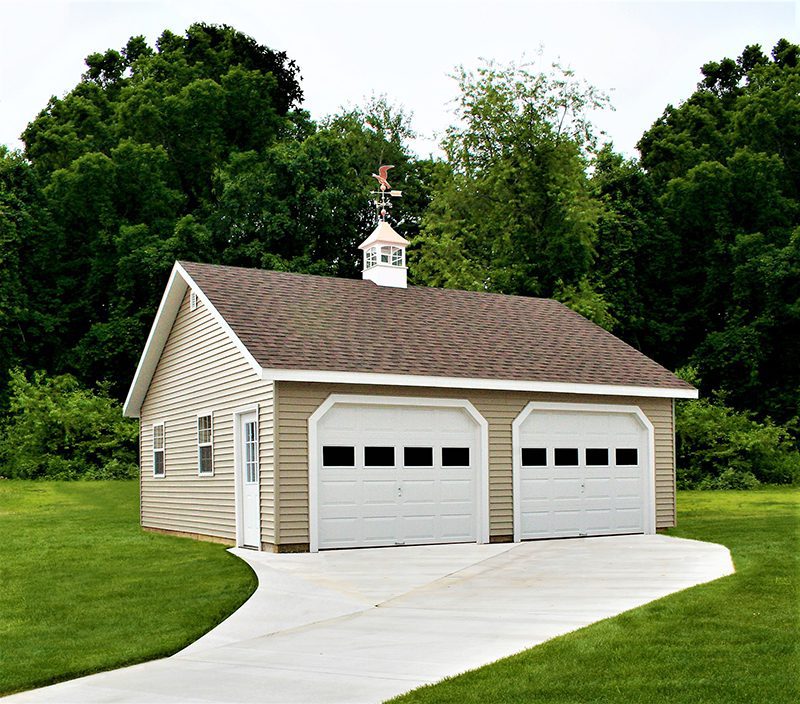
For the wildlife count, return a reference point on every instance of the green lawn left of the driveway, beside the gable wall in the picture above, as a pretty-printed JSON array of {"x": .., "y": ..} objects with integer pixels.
[{"x": 84, "y": 589}]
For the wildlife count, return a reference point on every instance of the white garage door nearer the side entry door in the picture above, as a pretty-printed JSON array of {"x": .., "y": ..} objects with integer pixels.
[{"x": 396, "y": 475}]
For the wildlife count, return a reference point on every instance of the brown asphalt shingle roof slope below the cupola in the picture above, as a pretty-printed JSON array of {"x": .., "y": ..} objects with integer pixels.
[{"x": 297, "y": 321}]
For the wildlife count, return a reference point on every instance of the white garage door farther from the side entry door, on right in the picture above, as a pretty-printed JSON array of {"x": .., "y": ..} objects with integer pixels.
[{"x": 582, "y": 473}]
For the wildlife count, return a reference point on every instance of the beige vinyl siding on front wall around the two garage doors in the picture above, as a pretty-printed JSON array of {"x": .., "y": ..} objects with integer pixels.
[{"x": 296, "y": 401}]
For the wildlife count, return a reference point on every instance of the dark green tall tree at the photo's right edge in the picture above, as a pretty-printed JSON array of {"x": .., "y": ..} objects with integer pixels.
[{"x": 725, "y": 166}]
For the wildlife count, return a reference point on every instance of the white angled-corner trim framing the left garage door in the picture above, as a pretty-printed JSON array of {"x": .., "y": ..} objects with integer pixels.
[{"x": 410, "y": 401}]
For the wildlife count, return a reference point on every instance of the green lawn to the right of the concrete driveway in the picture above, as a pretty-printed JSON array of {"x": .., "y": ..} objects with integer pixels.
[{"x": 732, "y": 640}]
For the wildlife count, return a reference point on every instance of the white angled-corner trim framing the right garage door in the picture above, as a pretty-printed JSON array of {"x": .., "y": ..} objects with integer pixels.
[{"x": 541, "y": 406}]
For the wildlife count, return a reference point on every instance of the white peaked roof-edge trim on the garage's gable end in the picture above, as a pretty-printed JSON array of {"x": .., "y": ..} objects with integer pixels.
[{"x": 179, "y": 281}]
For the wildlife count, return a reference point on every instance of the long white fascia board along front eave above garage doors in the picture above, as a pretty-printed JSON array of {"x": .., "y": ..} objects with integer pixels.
[{"x": 332, "y": 377}]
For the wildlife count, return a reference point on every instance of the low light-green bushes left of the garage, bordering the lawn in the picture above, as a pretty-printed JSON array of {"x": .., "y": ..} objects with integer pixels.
[{"x": 56, "y": 429}]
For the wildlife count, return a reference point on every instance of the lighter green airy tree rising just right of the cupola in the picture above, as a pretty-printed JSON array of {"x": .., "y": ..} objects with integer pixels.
[{"x": 511, "y": 209}]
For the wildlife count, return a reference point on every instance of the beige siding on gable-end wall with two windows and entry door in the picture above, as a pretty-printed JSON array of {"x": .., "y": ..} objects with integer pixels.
[{"x": 202, "y": 370}]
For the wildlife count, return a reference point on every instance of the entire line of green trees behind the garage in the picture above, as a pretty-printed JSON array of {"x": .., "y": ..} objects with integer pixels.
[{"x": 199, "y": 148}]
